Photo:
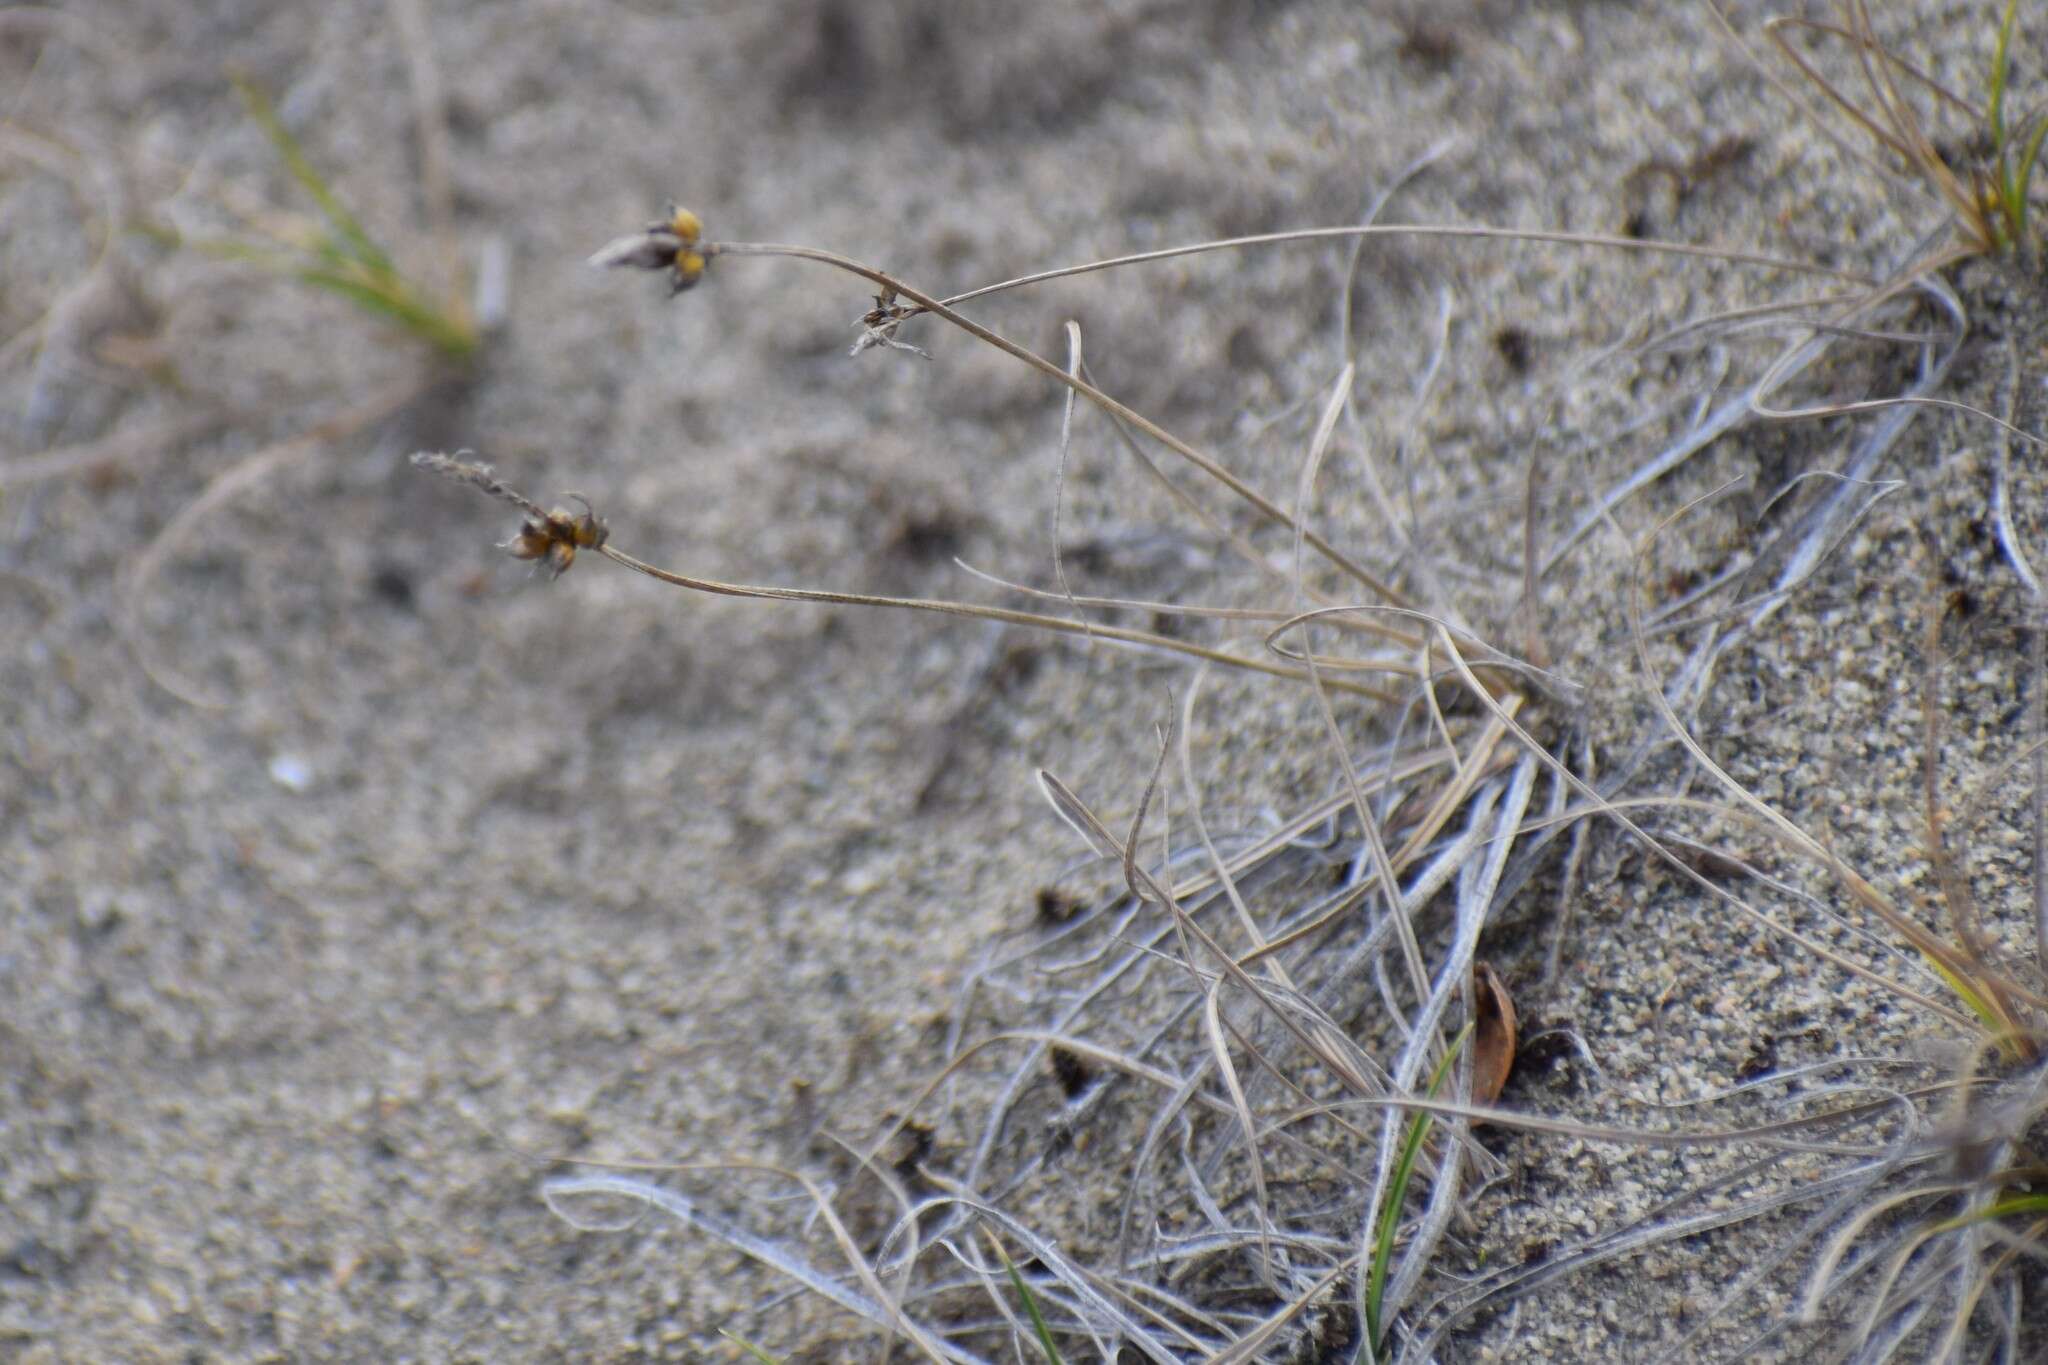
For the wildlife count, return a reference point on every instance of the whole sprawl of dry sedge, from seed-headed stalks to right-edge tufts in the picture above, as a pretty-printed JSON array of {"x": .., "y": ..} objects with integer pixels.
[{"x": 1277, "y": 1045}]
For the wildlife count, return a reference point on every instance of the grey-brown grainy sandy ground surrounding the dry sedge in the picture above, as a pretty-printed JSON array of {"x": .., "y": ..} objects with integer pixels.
[{"x": 470, "y": 871}]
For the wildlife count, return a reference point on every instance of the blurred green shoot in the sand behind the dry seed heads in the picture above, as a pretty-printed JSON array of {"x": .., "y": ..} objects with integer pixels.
[{"x": 339, "y": 255}]
